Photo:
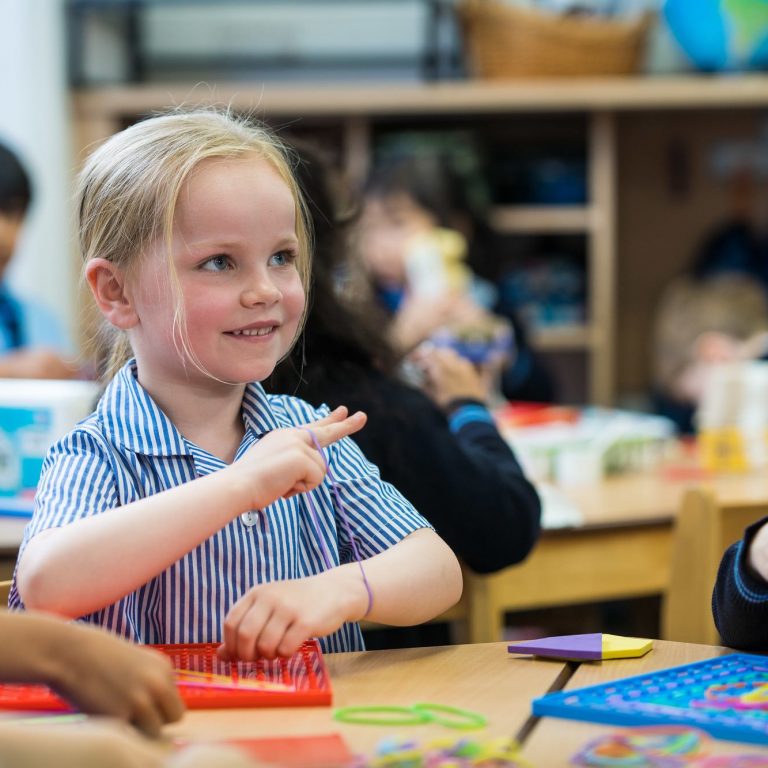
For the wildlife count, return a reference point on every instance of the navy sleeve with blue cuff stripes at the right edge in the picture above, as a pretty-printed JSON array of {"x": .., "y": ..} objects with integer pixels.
[{"x": 740, "y": 598}]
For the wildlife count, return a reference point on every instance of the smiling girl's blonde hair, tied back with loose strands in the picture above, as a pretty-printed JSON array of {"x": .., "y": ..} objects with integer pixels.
[{"x": 127, "y": 193}]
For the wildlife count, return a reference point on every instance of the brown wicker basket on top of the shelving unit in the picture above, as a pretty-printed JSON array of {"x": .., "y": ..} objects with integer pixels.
[{"x": 505, "y": 41}]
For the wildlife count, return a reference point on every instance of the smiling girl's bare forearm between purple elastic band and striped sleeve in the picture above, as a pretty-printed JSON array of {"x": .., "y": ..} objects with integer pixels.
[{"x": 421, "y": 566}]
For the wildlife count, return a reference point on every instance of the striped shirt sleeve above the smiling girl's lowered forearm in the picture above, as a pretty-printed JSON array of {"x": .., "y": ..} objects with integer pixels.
[{"x": 374, "y": 512}]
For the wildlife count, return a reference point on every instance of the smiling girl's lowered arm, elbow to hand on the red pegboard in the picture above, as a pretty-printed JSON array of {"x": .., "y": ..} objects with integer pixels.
[{"x": 412, "y": 581}]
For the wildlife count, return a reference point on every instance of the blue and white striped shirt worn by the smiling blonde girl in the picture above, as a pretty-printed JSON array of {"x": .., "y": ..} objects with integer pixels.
[{"x": 129, "y": 449}]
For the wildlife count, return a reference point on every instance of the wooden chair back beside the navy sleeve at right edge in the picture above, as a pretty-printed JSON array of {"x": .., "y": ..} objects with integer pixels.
[{"x": 704, "y": 529}]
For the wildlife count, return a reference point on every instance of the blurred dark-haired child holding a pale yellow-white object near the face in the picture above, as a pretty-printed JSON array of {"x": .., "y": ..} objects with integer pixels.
[{"x": 428, "y": 251}]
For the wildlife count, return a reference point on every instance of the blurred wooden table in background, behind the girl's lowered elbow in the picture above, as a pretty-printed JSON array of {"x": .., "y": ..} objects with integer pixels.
[{"x": 622, "y": 548}]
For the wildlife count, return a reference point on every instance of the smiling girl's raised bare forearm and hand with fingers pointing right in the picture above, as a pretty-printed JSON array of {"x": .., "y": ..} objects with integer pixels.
[{"x": 84, "y": 566}]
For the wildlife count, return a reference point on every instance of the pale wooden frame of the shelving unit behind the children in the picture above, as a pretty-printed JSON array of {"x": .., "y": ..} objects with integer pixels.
[{"x": 355, "y": 109}]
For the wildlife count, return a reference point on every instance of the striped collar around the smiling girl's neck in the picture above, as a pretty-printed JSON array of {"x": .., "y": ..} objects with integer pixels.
[{"x": 133, "y": 420}]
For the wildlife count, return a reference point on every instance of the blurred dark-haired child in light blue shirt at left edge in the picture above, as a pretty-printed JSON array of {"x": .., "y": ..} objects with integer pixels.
[{"x": 32, "y": 343}]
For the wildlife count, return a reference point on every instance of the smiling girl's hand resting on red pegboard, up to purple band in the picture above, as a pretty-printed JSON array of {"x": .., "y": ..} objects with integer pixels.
[{"x": 275, "y": 618}]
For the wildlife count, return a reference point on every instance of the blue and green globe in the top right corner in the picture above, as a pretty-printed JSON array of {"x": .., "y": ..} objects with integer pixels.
[{"x": 721, "y": 35}]
